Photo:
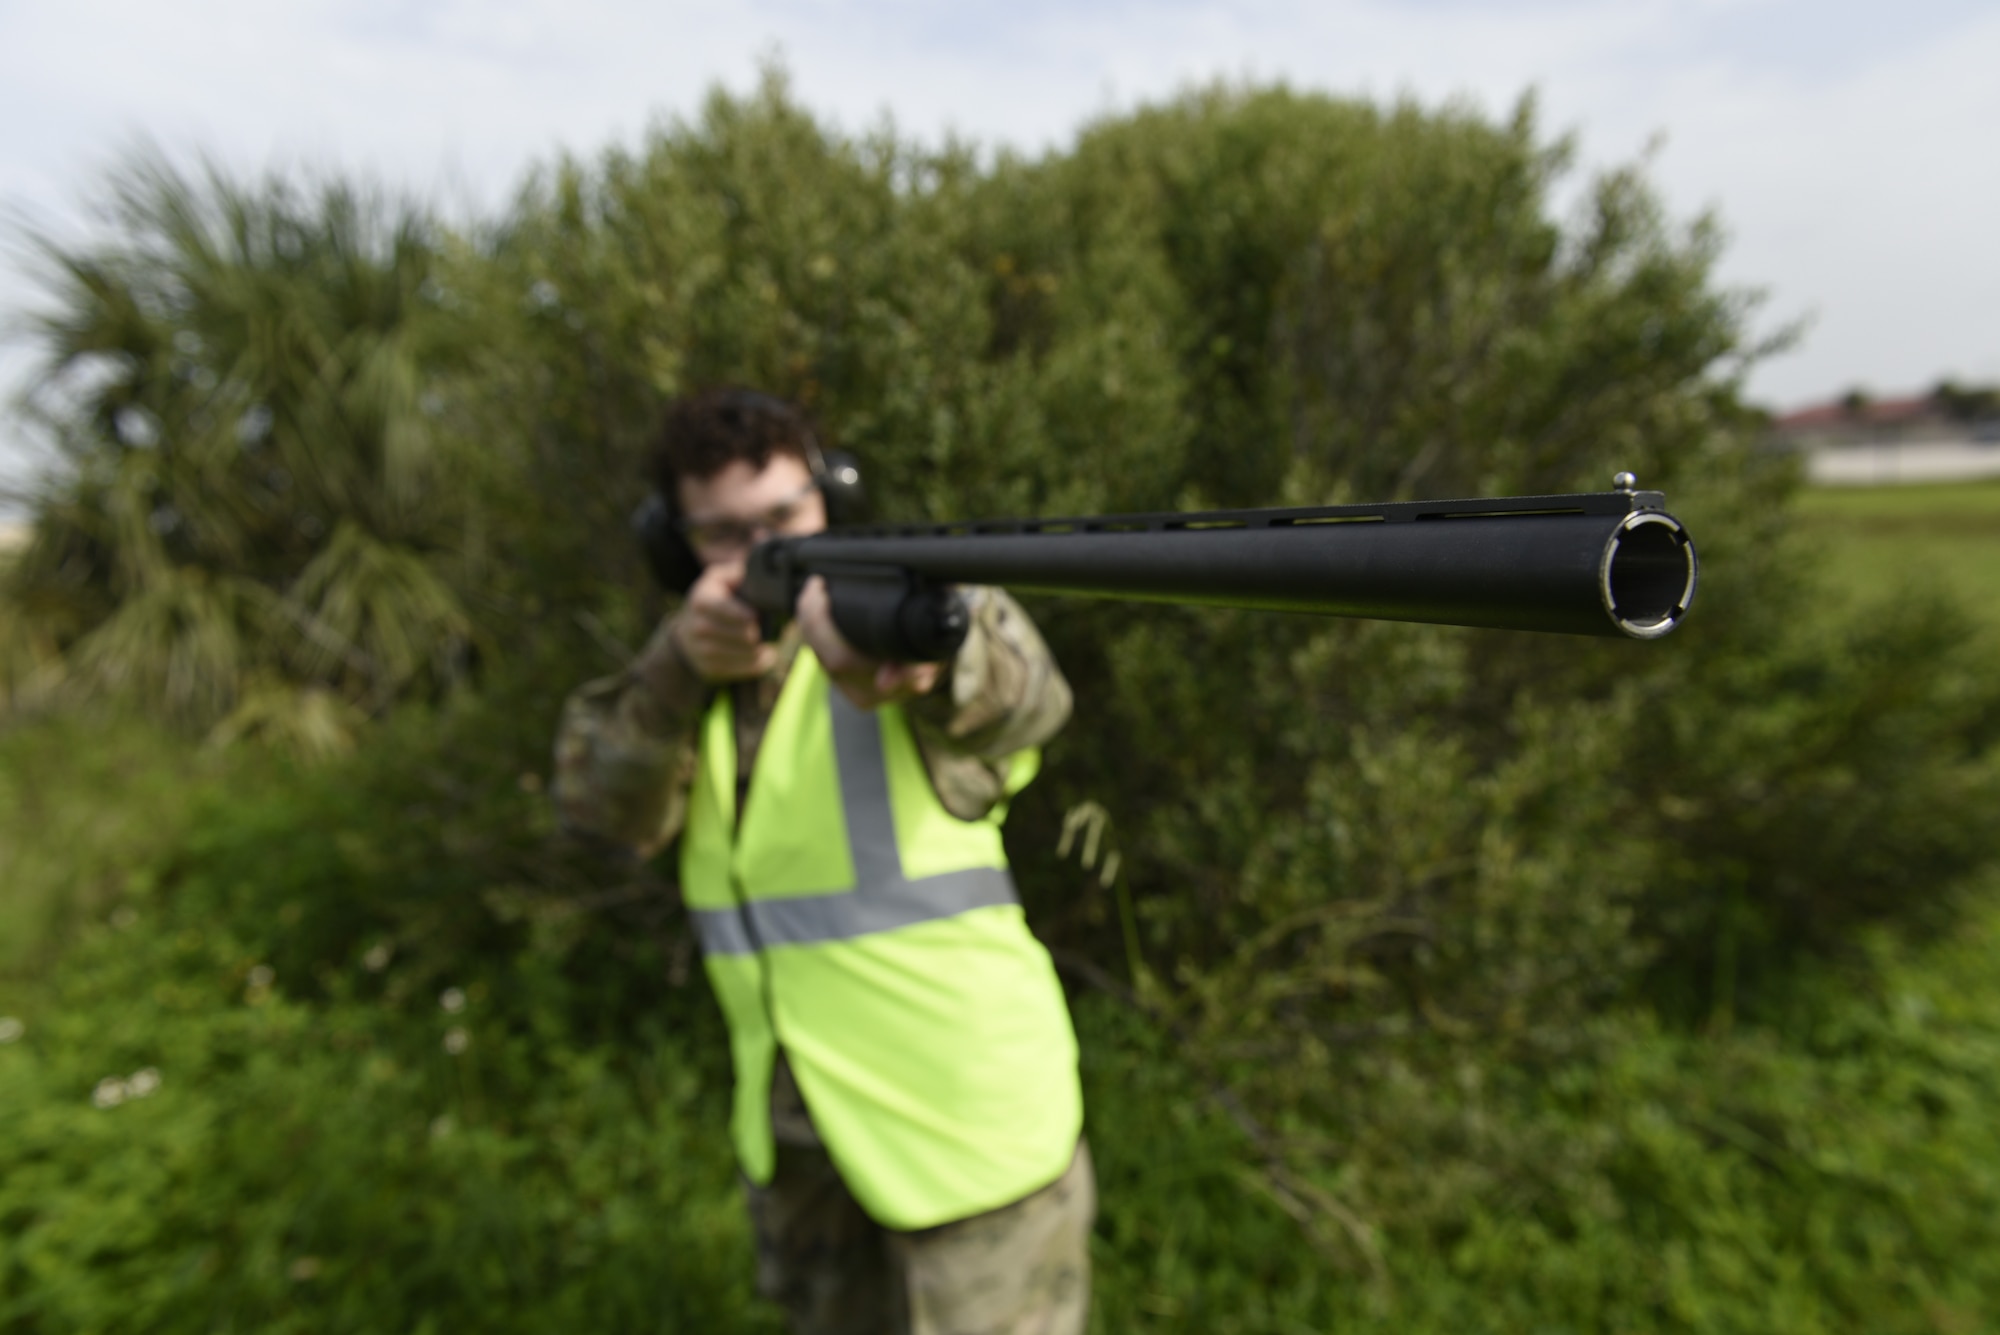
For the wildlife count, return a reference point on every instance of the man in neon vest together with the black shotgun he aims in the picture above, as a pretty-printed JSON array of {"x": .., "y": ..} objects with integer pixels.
[{"x": 833, "y": 724}]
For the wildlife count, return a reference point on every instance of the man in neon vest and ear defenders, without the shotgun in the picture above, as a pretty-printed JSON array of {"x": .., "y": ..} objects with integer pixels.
[{"x": 907, "y": 1108}]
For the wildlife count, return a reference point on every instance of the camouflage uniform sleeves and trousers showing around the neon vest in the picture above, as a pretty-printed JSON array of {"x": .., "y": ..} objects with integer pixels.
[{"x": 625, "y": 760}]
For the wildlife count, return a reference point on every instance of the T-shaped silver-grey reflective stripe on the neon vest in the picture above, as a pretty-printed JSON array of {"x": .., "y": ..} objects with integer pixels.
[{"x": 883, "y": 898}]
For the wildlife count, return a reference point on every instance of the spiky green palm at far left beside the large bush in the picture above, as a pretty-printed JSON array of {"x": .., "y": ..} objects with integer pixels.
[{"x": 249, "y": 479}]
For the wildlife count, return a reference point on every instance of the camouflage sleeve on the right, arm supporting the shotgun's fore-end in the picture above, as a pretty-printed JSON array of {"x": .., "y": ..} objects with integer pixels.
[{"x": 1005, "y": 694}]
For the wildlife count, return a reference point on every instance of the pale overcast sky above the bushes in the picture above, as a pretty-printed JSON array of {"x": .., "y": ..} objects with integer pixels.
[{"x": 1849, "y": 149}]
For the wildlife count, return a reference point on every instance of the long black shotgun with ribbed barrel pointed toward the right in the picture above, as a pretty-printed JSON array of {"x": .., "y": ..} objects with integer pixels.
[{"x": 1587, "y": 565}]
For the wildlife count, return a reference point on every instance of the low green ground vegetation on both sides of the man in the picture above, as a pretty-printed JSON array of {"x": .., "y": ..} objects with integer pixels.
[{"x": 315, "y": 1154}]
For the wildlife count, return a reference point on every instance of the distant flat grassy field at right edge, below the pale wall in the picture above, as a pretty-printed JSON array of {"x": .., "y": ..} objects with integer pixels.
[{"x": 1881, "y": 541}]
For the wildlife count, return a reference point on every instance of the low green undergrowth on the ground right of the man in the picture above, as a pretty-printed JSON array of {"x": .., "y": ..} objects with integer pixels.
[{"x": 1831, "y": 1174}]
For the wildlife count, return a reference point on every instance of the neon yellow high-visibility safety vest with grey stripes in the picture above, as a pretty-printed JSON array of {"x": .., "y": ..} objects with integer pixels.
[{"x": 879, "y": 938}]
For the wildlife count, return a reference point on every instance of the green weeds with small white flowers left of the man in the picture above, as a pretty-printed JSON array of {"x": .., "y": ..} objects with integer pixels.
[{"x": 309, "y": 1076}]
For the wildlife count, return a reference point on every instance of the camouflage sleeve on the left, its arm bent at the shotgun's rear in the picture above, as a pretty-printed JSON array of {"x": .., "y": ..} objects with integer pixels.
[{"x": 625, "y": 750}]
